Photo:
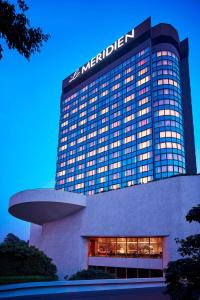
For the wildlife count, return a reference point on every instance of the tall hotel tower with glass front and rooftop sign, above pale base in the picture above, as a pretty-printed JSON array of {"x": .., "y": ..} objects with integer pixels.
[{"x": 126, "y": 115}]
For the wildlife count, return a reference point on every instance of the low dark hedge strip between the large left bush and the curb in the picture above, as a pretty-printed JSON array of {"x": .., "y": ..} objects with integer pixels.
[{"x": 29, "y": 278}]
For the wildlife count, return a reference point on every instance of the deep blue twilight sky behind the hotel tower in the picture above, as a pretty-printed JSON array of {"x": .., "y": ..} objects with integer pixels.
[{"x": 30, "y": 91}]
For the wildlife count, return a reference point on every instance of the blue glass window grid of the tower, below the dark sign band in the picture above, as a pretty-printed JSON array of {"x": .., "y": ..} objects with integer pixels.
[{"x": 124, "y": 128}]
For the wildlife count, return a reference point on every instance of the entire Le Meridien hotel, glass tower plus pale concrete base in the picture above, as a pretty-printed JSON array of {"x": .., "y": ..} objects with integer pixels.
[{"x": 125, "y": 128}]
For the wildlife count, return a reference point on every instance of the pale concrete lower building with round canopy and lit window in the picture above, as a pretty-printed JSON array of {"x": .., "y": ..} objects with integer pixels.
[{"x": 130, "y": 232}]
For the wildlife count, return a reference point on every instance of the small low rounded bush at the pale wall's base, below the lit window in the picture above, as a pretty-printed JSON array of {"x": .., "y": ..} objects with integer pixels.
[{"x": 92, "y": 274}]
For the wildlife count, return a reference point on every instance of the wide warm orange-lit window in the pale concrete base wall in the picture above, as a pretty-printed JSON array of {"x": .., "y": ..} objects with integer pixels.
[{"x": 137, "y": 247}]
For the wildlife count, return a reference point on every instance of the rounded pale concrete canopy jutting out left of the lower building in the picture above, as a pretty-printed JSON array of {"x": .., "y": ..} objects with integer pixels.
[{"x": 41, "y": 206}]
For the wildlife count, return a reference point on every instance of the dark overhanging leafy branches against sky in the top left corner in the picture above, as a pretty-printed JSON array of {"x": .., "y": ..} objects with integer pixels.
[{"x": 15, "y": 29}]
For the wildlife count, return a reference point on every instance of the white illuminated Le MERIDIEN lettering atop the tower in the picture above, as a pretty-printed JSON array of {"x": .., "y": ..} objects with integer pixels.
[{"x": 104, "y": 54}]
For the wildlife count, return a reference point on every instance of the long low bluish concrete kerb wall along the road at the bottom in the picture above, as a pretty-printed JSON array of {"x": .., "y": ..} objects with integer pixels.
[{"x": 76, "y": 286}]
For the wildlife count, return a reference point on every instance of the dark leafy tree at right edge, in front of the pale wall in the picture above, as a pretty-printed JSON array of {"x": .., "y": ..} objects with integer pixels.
[{"x": 183, "y": 275}]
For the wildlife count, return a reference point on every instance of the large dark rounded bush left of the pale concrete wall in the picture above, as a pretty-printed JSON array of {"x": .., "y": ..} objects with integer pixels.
[{"x": 18, "y": 258}]
